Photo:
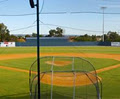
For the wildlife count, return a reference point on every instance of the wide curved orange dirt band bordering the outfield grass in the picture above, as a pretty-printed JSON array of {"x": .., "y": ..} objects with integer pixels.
[{"x": 90, "y": 55}]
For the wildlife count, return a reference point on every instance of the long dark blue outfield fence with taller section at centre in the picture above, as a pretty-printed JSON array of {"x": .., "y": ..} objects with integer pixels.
[{"x": 60, "y": 42}]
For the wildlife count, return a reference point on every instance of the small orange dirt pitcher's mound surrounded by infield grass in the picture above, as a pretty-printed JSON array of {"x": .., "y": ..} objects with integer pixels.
[{"x": 58, "y": 63}]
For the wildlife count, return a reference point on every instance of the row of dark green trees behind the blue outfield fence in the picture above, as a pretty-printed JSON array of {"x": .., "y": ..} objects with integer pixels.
[{"x": 5, "y": 36}]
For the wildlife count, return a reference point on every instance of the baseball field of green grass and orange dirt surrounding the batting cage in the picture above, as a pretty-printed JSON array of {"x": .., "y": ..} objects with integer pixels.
[{"x": 15, "y": 64}]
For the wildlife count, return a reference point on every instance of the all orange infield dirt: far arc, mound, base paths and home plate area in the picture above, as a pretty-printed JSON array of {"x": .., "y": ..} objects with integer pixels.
[{"x": 64, "y": 79}]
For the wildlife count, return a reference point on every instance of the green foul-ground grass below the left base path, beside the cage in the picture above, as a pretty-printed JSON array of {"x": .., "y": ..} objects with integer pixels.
[{"x": 13, "y": 85}]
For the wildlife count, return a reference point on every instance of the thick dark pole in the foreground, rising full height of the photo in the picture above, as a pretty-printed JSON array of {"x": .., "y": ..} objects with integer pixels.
[{"x": 38, "y": 43}]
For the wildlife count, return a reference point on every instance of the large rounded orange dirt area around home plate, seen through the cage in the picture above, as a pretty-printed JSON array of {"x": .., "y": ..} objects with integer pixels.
[{"x": 68, "y": 79}]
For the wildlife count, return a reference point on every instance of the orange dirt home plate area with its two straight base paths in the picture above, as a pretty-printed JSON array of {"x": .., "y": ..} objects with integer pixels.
[{"x": 66, "y": 79}]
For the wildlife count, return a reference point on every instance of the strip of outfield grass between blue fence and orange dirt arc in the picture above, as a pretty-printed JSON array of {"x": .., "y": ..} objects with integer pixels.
[{"x": 81, "y": 49}]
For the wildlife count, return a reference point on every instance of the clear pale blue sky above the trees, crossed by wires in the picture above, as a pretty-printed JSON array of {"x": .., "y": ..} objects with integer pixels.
[{"x": 81, "y": 23}]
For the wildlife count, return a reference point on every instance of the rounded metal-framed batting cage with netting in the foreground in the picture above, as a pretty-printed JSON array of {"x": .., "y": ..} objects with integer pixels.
[{"x": 65, "y": 78}]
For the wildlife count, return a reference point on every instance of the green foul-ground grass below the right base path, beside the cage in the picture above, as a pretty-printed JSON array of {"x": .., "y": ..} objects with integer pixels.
[{"x": 111, "y": 84}]
